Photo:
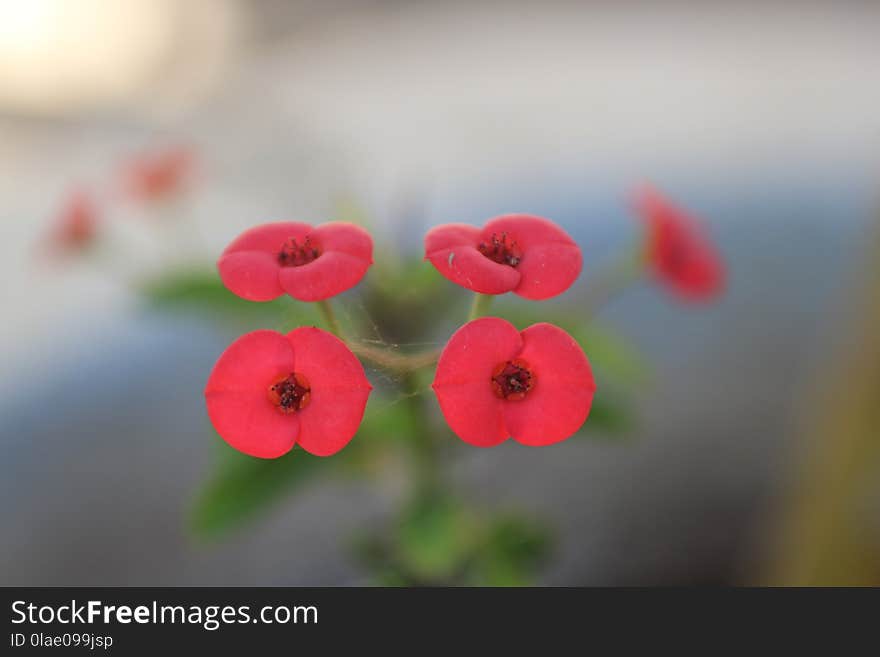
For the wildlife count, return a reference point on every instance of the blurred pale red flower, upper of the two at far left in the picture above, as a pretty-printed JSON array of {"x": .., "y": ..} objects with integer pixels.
[{"x": 160, "y": 175}]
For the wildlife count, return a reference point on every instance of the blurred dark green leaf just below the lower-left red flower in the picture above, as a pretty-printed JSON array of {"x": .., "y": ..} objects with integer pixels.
[{"x": 243, "y": 487}]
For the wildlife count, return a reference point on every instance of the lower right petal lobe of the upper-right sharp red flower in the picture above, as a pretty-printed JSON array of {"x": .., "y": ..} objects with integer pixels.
[{"x": 548, "y": 269}]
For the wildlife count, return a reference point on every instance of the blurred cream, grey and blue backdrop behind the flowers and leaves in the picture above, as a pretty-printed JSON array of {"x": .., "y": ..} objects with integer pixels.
[{"x": 752, "y": 455}]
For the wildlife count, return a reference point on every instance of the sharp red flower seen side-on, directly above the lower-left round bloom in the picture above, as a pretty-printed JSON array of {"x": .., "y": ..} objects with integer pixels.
[{"x": 307, "y": 263}]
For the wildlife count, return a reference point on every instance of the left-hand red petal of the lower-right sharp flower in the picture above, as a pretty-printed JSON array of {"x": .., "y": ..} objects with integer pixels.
[{"x": 462, "y": 382}]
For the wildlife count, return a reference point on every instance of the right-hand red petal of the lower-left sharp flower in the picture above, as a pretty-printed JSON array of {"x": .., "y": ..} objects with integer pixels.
[{"x": 339, "y": 390}]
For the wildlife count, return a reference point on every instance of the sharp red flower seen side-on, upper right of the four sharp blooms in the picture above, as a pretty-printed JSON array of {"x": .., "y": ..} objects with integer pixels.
[{"x": 530, "y": 256}]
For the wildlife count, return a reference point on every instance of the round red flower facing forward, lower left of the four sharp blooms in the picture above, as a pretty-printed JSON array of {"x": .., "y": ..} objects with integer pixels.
[{"x": 268, "y": 392}]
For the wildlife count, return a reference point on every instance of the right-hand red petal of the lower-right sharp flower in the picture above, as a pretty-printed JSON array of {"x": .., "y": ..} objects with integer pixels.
[{"x": 560, "y": 401}]
